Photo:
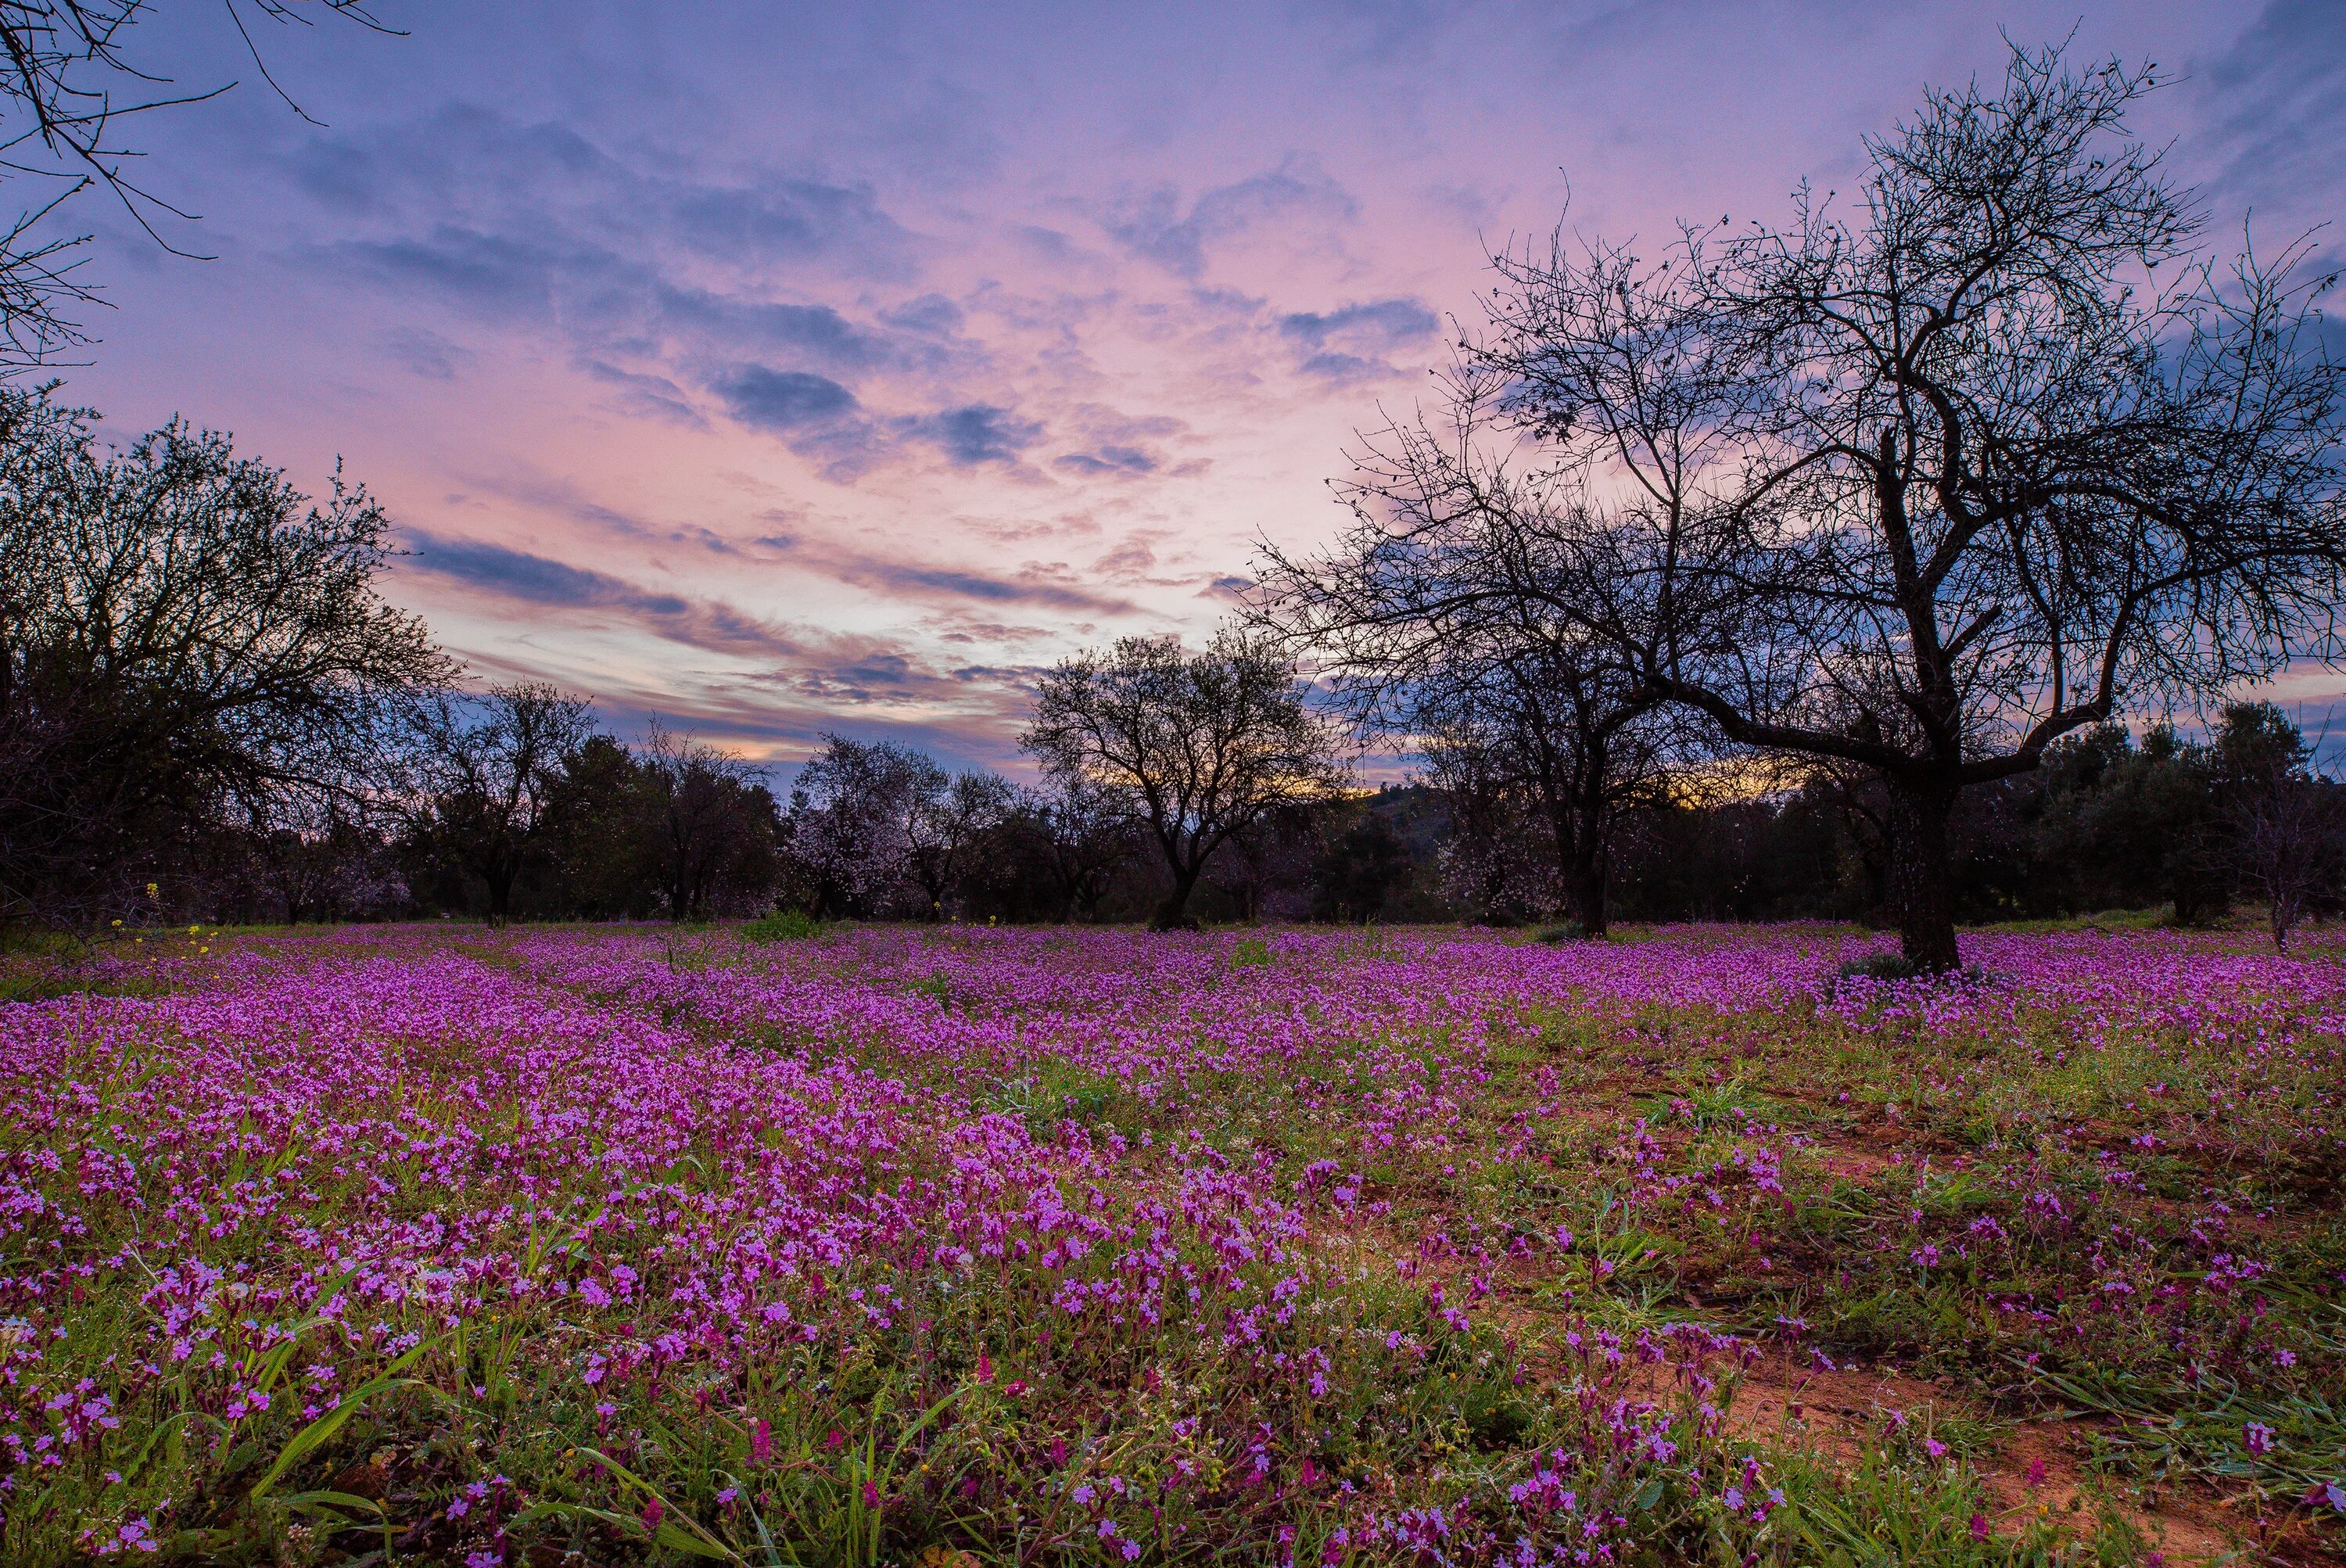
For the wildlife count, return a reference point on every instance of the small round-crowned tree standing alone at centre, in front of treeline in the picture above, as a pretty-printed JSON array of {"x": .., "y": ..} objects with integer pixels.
[{"x": 1200, "y": 748}]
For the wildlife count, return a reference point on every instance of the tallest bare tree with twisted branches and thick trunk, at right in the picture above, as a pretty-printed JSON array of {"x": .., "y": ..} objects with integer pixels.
[{"x": 1934, "y": 485}]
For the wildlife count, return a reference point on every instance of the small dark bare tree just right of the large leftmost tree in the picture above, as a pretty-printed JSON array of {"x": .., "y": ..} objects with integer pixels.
[{"x": 489, "y": 773}]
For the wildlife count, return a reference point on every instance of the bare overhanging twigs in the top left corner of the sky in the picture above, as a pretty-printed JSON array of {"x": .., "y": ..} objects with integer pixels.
[{"x": 67, "y": 88}]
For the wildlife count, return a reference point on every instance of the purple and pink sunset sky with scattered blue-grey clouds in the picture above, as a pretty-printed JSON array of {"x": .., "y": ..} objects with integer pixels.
[{"x": 836, "y": 367}]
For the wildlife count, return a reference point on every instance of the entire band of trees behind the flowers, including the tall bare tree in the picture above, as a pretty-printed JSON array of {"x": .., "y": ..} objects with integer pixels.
[{"x": 1786, "y": 572}]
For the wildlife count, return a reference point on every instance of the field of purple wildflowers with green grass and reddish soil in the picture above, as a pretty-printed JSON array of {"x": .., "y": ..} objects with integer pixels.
[{"x": 954, "y": 1248}]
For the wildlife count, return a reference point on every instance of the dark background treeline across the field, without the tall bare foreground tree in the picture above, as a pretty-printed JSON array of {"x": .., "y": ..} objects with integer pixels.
[{"x": 208, "y": 712}]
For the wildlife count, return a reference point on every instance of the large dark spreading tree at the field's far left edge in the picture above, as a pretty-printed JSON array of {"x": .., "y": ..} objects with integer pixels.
[{"x": 184, "y": 637}]
